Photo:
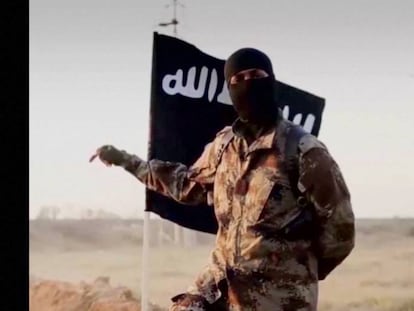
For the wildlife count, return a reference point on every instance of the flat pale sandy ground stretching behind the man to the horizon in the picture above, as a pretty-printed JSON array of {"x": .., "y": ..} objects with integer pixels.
[{"x": 379, "y": 275}]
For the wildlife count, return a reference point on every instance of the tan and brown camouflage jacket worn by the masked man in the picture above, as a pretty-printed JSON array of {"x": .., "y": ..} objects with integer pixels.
[{"x": 252, "y": 199}]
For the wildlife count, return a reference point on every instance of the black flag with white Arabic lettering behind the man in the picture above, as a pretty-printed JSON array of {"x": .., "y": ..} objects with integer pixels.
[{"x": 189, "y": 105}]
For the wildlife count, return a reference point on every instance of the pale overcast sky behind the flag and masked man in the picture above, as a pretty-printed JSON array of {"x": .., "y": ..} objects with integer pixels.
[{"x": 90, "y": 63}]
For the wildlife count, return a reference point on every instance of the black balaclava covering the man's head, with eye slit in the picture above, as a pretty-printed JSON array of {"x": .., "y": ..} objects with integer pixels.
[{"x": 255, "y": 99}]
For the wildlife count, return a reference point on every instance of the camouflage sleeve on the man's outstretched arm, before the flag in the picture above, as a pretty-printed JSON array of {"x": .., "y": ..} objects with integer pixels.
[{"x": 187, "y": 185}]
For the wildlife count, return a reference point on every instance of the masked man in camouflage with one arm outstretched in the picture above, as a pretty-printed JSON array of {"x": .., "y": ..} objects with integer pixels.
[{"x": 276, "y": 238}]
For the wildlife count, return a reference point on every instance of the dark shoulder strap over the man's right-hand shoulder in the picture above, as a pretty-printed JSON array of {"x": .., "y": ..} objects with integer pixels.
[{"x": 293, "y": 135}]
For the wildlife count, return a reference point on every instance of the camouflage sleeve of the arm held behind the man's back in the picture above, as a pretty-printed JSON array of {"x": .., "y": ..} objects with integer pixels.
[{"x": 322, "y": 181}]
